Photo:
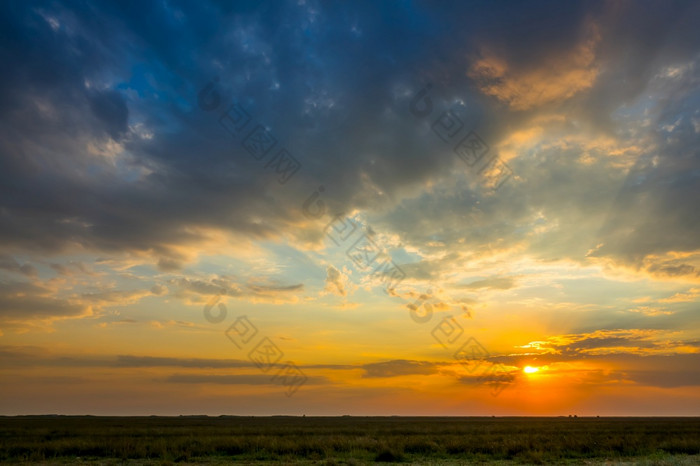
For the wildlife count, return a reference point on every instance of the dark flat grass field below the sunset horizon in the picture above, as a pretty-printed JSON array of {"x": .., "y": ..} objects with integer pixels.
[{"x": 349, "y": 440}]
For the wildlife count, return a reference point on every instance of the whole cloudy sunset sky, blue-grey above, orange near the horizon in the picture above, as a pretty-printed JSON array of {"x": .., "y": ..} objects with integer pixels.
[{"x": 365, "y": 208}]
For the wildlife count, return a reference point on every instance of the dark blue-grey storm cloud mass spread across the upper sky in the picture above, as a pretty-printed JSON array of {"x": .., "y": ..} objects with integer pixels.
[{"x": 333, "y": 83}]
